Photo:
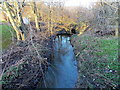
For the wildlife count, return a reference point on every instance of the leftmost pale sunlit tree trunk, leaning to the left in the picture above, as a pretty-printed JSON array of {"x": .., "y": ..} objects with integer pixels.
[{"x": 18, "y": 33}]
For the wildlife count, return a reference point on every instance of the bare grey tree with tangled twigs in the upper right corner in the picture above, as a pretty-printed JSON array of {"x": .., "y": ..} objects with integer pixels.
[{"x": 106, "y": 16}]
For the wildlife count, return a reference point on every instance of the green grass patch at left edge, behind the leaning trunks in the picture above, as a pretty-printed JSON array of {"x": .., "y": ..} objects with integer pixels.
[{"x": 6, "y": 35}]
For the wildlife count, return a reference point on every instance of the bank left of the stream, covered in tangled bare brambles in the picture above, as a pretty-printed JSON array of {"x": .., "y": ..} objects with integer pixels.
[{"x": 25, "y": 62}]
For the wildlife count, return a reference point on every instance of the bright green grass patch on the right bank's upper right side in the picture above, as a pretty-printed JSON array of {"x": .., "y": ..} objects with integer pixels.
[{"x": 109, "y": 48}]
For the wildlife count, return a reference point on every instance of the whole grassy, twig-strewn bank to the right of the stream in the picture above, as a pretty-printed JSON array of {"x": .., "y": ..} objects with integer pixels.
[{"x": 97, "y": 61}]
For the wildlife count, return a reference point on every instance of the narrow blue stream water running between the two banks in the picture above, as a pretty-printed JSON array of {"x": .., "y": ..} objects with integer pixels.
[{"x": 63, "y": 72}]
